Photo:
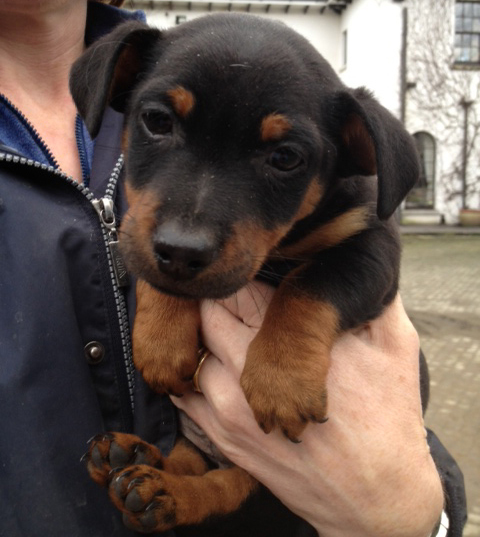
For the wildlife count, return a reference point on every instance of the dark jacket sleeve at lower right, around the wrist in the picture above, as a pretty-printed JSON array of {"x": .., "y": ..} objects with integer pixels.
[{"x": 453, "y": 485}]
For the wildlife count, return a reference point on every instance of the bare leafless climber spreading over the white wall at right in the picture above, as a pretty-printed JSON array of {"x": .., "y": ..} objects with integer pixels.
[{"x": 443, "y": 96}]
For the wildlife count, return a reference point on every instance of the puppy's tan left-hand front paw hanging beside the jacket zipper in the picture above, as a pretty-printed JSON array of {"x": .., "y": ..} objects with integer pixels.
[{"x": 165, "y": 339}]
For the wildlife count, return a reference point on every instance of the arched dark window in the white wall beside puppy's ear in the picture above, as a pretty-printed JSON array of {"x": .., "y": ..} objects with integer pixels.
[{"x": 421, "y": 195}]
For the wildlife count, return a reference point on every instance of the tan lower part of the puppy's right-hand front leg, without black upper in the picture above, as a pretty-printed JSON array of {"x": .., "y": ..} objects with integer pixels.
[{"x": 284, "y": 378}]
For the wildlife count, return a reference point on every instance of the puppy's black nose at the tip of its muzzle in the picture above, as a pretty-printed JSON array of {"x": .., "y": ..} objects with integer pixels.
[{"x": 182, "y": 254}]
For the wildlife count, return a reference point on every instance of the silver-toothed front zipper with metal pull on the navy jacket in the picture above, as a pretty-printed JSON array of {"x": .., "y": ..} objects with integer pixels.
[{"x": 118, "y": 274}]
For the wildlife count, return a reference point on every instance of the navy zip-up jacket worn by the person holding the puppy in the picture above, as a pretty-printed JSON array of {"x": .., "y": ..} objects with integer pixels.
[{"x": 62, "y": 383}]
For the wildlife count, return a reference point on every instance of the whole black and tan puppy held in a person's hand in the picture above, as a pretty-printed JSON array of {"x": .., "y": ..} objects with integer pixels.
[{"x": 246, "y": 157}]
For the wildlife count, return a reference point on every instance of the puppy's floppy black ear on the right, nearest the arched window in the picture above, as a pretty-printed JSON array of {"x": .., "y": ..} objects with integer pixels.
[{"x": 372, "y": 141}]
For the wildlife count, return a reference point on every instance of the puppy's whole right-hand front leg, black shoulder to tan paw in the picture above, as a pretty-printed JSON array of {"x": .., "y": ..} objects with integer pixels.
[{"x": 343, "y": 287}]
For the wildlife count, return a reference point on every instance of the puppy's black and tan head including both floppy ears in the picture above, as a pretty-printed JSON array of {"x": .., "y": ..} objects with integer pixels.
[{"x": 235, "y": 130}]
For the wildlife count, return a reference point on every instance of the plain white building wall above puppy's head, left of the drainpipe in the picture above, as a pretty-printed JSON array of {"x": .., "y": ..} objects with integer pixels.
[{"x": 374, "y": 30}]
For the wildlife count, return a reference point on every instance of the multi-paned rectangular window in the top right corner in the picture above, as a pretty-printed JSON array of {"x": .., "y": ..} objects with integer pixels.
[{"x": 467, "y": 32}]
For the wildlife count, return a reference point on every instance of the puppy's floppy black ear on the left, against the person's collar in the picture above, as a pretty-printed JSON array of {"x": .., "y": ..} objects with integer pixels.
[{"x": 108, "y": 71}]
